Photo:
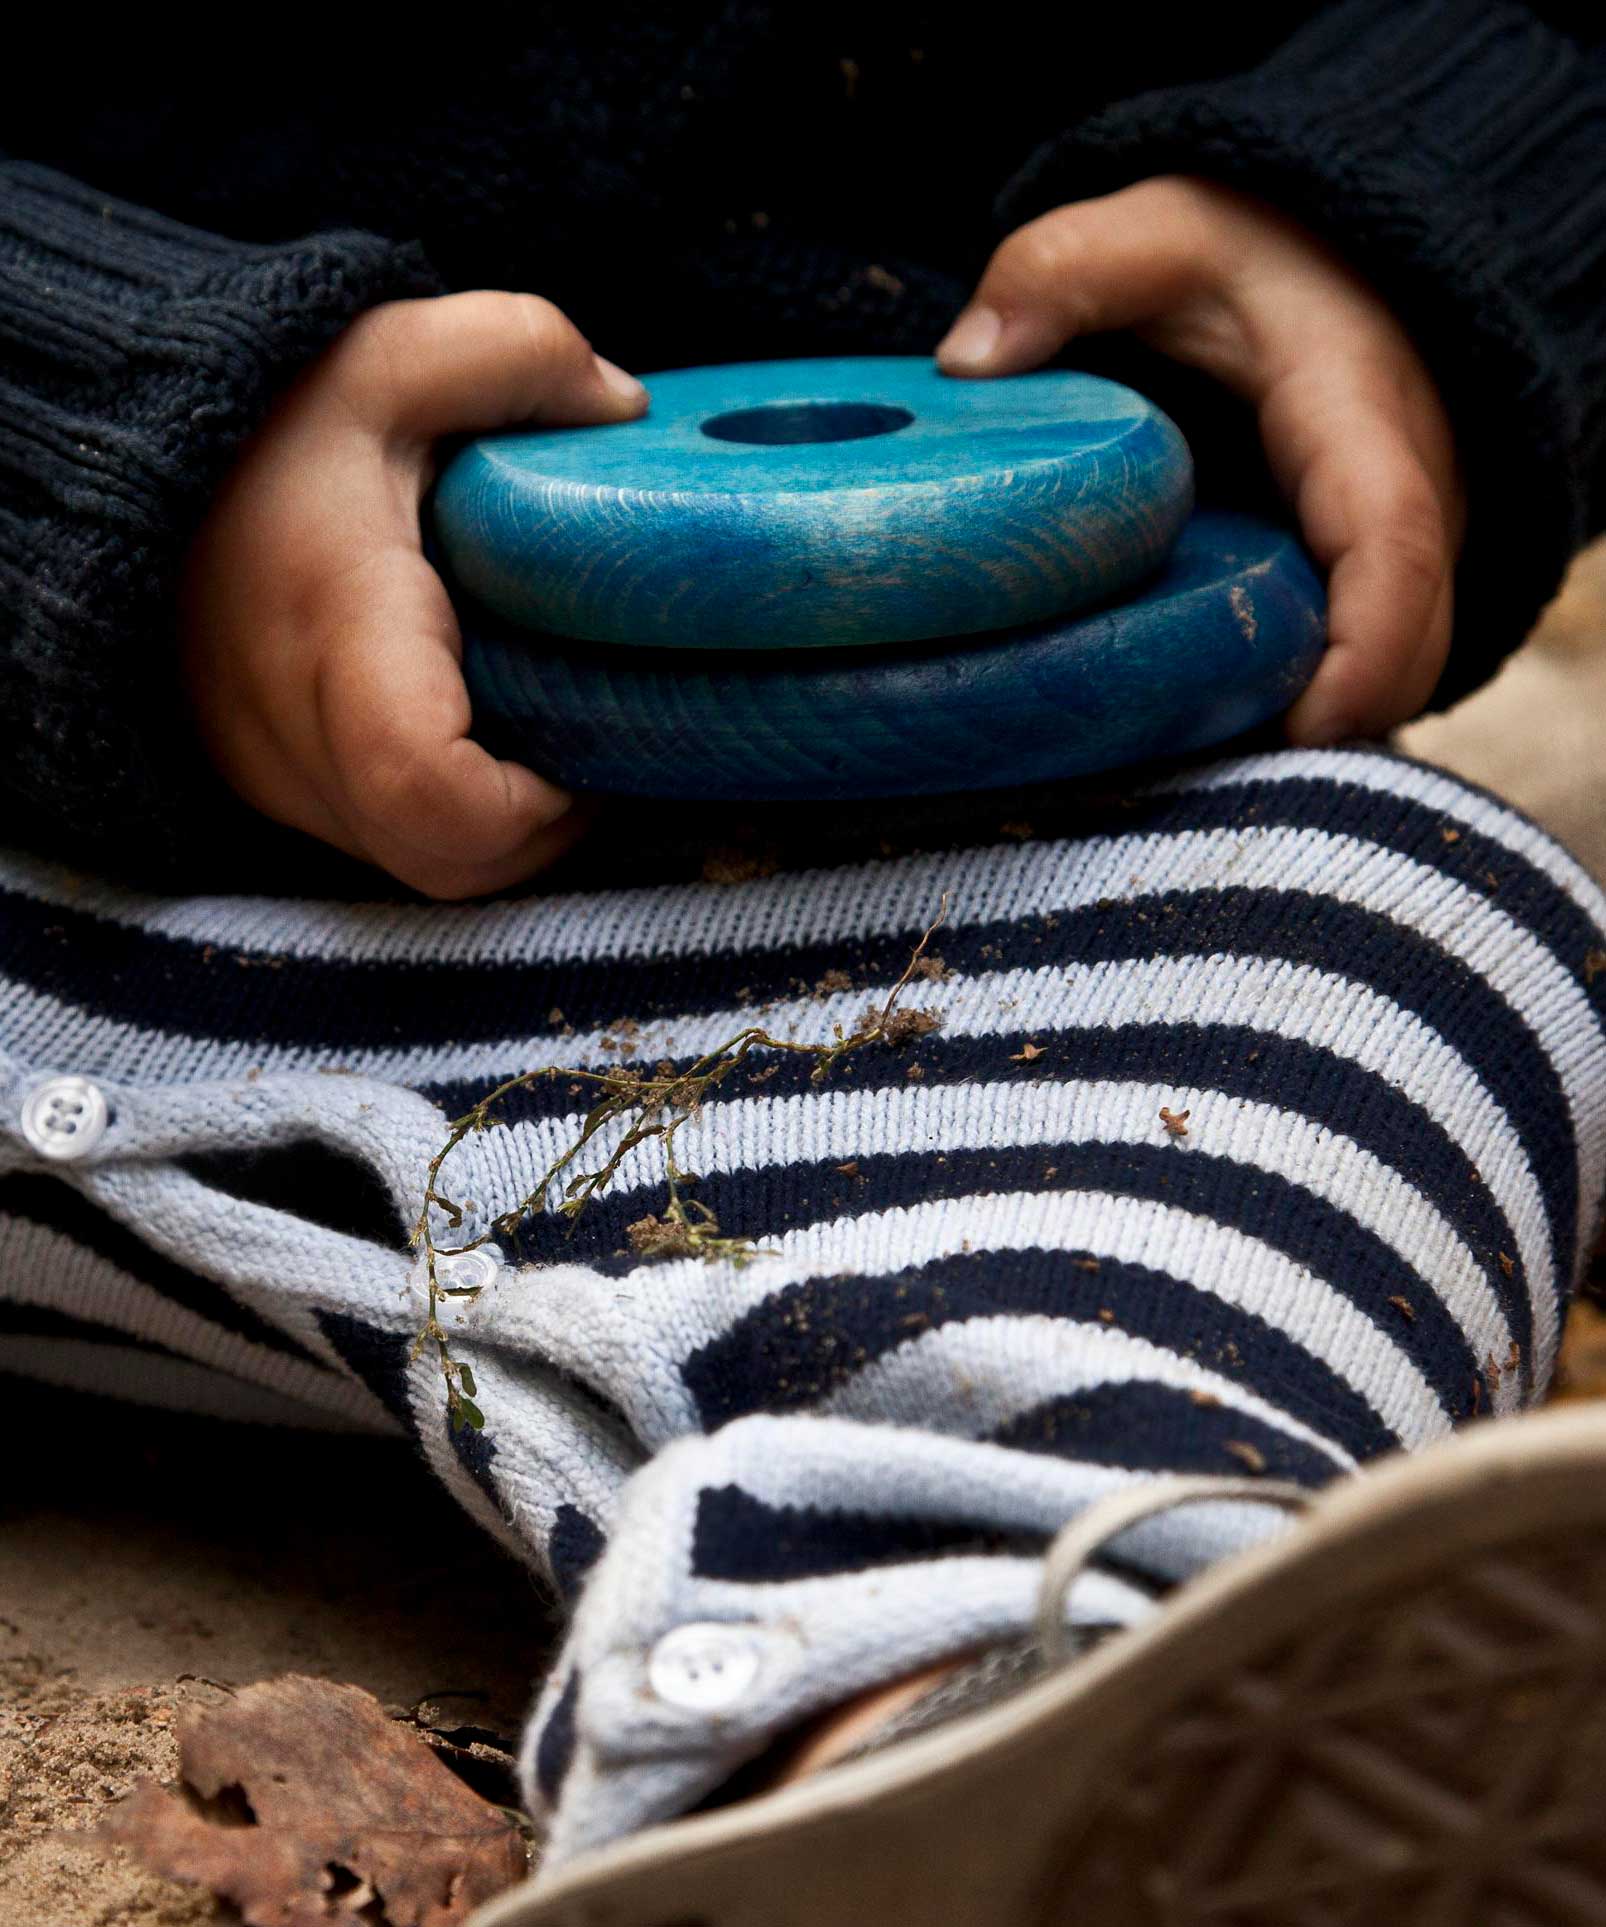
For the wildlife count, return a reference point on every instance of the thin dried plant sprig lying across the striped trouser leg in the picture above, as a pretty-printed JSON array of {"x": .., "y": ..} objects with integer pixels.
[{"x": 658, "y": 1103}]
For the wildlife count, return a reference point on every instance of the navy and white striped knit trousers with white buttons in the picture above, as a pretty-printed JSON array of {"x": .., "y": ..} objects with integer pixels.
[{"x": 996, "y": 1282}]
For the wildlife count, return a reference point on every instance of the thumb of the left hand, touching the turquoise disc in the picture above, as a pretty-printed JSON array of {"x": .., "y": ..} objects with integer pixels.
[{"x": 479, "y": 361}]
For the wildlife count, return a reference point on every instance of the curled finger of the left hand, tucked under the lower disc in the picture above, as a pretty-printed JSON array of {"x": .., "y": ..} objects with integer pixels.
[{"x": 394, "y": 720}]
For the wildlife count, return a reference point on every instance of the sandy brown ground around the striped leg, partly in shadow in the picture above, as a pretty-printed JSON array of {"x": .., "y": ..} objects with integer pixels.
[{"x": 149, "y": 1562}]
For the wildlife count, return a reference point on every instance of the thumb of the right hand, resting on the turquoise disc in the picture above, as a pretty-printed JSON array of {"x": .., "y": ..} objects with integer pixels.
[{"x": 1098, "y": 265}]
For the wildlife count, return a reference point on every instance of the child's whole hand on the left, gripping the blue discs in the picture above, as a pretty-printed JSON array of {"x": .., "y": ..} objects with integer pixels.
[{"x": 321, "y": 648}]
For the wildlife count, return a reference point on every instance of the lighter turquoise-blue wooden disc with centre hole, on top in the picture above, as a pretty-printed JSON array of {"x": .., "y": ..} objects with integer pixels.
[{"x": 820, "y": 502}]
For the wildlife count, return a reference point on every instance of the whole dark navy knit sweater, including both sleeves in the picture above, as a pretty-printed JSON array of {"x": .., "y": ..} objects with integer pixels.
[{"x": 703, "y": 184}]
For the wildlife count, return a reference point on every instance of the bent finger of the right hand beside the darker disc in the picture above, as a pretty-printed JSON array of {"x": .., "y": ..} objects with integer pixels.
[{"x": 1376, "y": 519}]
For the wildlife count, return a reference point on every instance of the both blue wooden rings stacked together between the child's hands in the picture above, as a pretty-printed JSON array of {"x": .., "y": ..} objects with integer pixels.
[{"x": 840, "y": 579}]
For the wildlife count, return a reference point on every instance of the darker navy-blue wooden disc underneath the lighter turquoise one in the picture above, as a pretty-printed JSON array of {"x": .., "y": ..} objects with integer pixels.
[{"x": 1223, "y": 641}]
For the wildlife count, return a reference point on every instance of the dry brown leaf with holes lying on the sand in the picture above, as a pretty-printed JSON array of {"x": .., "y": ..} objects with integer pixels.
[{"x": 302, "y": 1805}]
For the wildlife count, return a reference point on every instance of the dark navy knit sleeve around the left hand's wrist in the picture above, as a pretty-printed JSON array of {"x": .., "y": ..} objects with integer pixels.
[{"x": 136, "y": 357}]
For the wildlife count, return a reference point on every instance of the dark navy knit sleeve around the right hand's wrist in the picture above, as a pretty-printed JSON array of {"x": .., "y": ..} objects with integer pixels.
[{"x": 1455, "y": 151}]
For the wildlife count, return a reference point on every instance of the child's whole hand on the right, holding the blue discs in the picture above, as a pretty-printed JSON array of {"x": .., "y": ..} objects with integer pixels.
[{"x": 1351, "y": 419}]
